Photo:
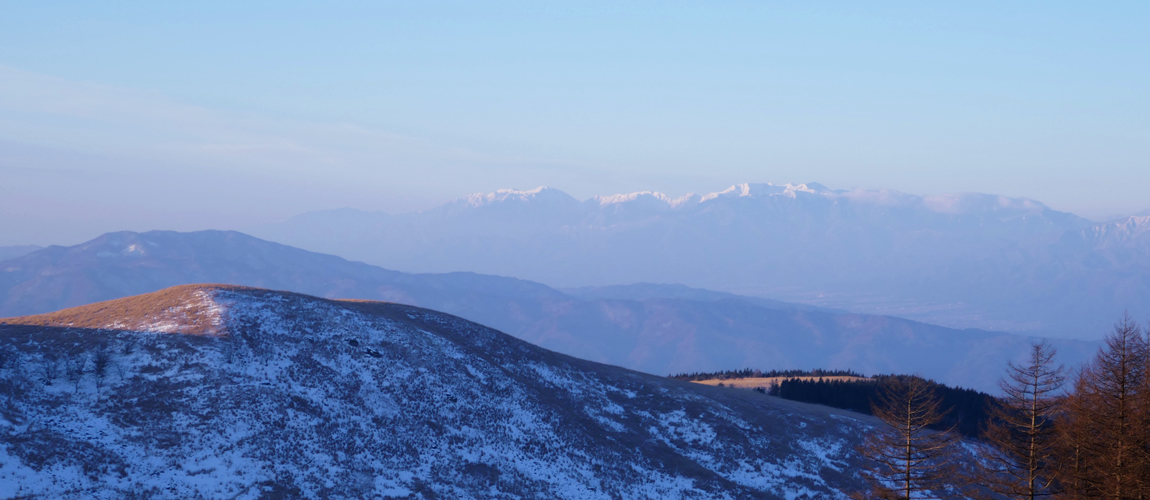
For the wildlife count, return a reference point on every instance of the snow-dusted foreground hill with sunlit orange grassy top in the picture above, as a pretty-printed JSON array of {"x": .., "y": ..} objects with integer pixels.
[{"x": 235, "y": 393}]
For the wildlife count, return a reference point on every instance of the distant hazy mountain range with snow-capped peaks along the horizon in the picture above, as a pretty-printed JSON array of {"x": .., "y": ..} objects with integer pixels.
[{"x": 959, "y": 260}]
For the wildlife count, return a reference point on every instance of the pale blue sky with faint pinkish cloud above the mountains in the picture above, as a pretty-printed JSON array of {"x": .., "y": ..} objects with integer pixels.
[{"x": 220, "y": 116}]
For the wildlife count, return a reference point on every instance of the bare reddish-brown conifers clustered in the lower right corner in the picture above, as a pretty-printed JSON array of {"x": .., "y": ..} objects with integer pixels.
[{"x": 1052, "y": 435}]
